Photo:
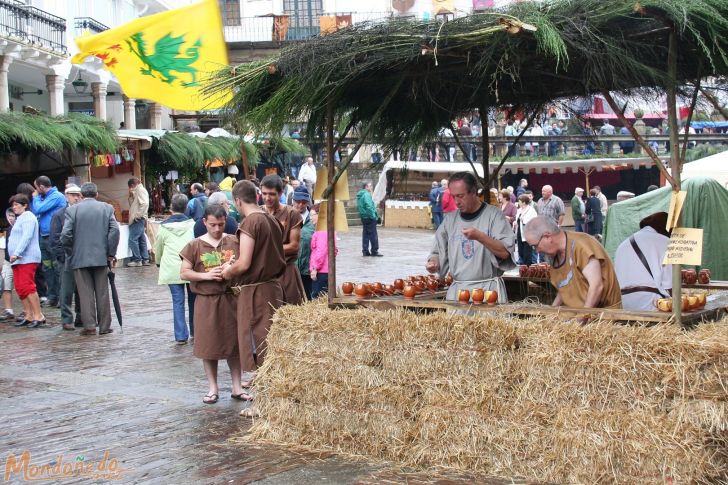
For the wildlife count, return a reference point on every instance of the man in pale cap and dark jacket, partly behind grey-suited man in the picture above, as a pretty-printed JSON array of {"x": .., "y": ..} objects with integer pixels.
[{"x": 58, "y": 252}]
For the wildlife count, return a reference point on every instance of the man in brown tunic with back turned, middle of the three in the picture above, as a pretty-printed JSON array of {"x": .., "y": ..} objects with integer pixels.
[{"x": 256, "y": 275}]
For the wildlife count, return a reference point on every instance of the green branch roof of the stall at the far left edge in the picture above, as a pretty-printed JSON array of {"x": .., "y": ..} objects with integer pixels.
[{"x": 40, "y": 133}]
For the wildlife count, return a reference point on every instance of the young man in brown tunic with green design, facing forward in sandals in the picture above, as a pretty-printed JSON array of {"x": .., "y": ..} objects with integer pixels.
[{"x": 203, "y": 260}]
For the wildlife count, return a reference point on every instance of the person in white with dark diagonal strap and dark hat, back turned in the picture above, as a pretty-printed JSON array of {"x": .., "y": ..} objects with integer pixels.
[{"x": 643, "y": 278}]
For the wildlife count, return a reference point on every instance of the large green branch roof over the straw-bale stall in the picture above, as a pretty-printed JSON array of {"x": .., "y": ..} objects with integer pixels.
[{"x": 523, "y": 55}]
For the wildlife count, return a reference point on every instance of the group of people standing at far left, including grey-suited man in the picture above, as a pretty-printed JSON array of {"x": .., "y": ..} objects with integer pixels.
[{"x": 58, "y": 248}]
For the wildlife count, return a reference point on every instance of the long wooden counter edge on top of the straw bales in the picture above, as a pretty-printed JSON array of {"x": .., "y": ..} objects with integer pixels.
[{"x": 716, "y": 306}]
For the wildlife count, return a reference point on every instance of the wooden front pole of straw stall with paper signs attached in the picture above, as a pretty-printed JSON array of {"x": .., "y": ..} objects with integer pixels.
[{"x": 674, "y": 160}]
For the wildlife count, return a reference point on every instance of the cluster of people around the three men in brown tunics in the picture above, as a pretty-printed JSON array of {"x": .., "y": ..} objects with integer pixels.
[{"x": 227, "y": 279}]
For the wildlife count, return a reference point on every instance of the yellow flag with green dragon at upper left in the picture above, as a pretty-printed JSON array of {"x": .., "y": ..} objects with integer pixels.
[{"x": 164, "y": 57}]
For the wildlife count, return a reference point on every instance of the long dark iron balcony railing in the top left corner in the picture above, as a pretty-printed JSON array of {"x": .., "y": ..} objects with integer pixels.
[{"x": 30, "y": 24}]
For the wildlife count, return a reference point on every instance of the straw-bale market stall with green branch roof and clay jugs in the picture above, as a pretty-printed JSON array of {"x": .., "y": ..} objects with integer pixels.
[{"x": 494, "y": 393}]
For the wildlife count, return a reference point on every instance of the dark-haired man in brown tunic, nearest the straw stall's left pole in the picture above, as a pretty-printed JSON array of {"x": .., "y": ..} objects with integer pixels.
[{"x": 272, "y": 188}]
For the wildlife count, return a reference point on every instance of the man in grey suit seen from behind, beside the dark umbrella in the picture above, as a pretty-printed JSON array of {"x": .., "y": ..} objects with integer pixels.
[{"x": 91, "y": 236}]
